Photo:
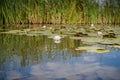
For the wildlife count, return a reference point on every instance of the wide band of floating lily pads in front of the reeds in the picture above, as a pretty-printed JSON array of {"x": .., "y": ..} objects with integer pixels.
[{"x": 86, "y": 35}]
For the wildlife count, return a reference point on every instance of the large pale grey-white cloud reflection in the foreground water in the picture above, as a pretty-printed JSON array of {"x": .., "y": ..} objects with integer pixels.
[{"x": 77, "y": 71}]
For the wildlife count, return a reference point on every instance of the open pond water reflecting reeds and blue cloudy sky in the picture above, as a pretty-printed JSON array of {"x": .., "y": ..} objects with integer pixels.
[{"x": 40, "y": 58}]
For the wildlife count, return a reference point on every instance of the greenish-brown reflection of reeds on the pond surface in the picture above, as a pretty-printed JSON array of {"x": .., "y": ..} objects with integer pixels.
[{"x": 33, "y": 50}]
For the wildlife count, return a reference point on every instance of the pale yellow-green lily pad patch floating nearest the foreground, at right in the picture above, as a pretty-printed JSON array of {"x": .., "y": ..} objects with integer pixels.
[{"x": 93, "y": 49}]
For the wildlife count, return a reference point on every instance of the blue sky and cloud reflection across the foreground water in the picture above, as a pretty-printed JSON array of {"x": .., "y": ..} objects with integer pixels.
[{"x": 88, "y": 66}]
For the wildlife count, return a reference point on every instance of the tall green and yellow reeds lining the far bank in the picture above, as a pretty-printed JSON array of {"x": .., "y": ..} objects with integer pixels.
[{"x": 59, "y": 11}]
